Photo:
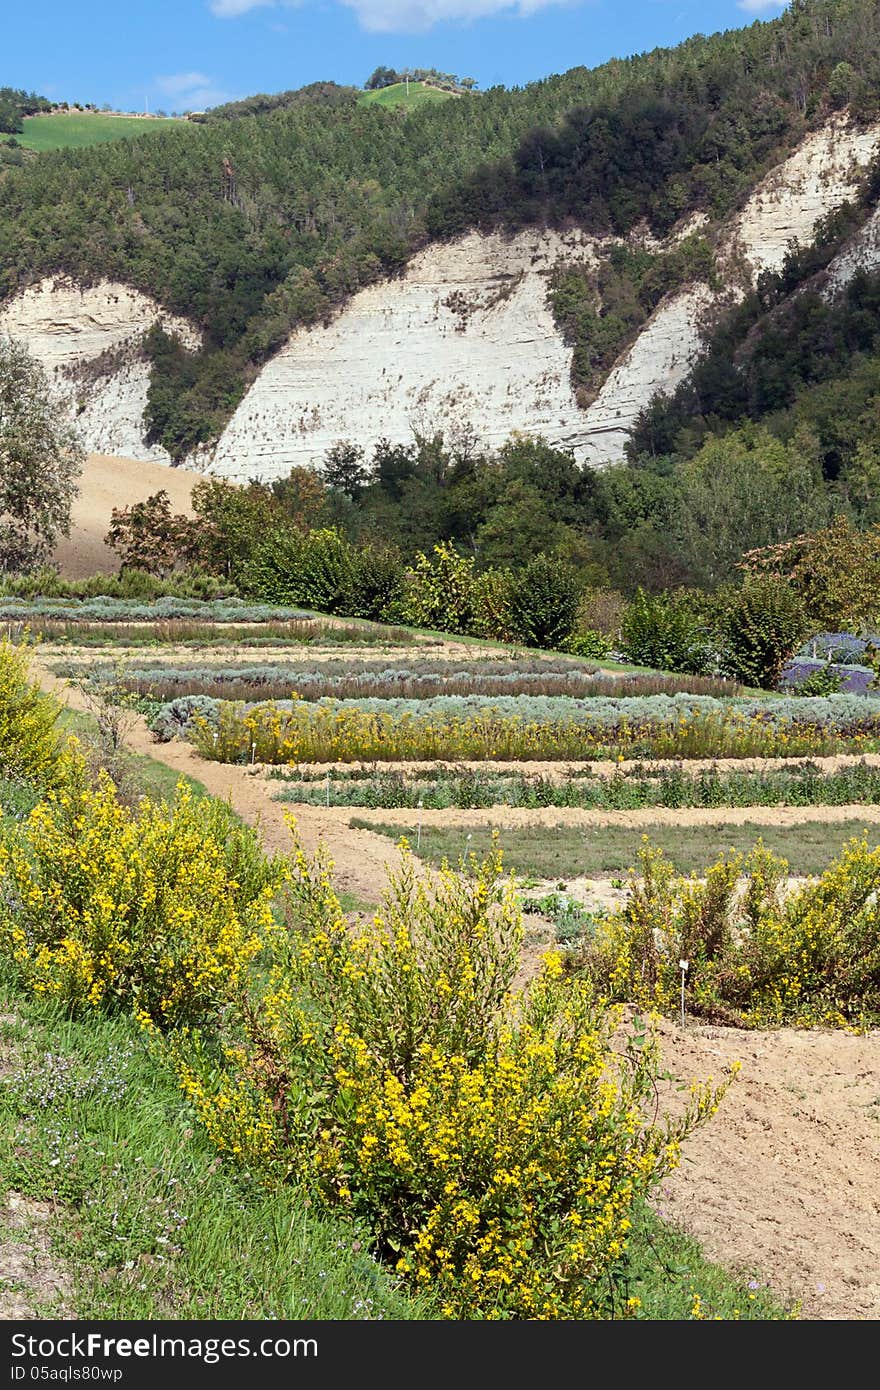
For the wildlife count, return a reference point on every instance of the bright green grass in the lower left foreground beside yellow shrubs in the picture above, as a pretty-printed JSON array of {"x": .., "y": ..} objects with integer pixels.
[{"x": 148, "y": 1223}]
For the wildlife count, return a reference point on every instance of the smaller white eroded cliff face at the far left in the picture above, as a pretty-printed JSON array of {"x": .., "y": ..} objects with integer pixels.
[{"x": 90, "y": 343}]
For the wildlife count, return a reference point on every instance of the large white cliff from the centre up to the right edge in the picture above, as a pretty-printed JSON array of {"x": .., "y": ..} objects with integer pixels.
[{"x": 443, "y": 348}]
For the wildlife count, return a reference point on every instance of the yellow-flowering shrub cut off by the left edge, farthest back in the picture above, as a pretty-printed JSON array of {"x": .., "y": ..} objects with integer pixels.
[{"x": 30, "y": 743}]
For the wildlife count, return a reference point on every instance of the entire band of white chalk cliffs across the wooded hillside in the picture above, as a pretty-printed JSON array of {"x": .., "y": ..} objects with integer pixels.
[{"x": 465, "y": 340}]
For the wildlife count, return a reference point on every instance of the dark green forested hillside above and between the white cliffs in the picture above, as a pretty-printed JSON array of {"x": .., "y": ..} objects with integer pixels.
[{"x": 254, "y": 224}]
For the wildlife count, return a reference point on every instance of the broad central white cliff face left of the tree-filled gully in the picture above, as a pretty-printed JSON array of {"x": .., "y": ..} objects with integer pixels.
[{"x": 464, "y": 340}]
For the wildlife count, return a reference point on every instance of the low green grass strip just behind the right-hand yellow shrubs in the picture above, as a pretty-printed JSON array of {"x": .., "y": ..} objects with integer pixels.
[{"x": 565, "y": 853}]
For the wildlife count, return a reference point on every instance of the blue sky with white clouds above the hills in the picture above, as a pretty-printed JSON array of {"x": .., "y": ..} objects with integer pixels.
[{"x": 194, "y": 54}]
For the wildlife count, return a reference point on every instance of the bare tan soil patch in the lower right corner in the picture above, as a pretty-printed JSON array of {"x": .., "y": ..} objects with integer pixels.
[{"x": 783, "y": 1181}]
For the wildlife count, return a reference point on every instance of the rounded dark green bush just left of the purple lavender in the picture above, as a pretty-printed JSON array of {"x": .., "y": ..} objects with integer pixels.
[{"x": 763, "y": 625}]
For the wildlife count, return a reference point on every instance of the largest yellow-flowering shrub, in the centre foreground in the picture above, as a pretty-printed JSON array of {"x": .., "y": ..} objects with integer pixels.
[{"x": 496, "y": 1142}]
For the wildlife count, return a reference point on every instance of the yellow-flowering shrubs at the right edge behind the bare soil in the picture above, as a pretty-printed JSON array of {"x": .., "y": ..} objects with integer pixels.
[{"x": 758, "y": 956}]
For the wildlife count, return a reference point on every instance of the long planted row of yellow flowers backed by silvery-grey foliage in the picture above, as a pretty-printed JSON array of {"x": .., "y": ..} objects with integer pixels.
[{"x": 523, "y": 728}]
